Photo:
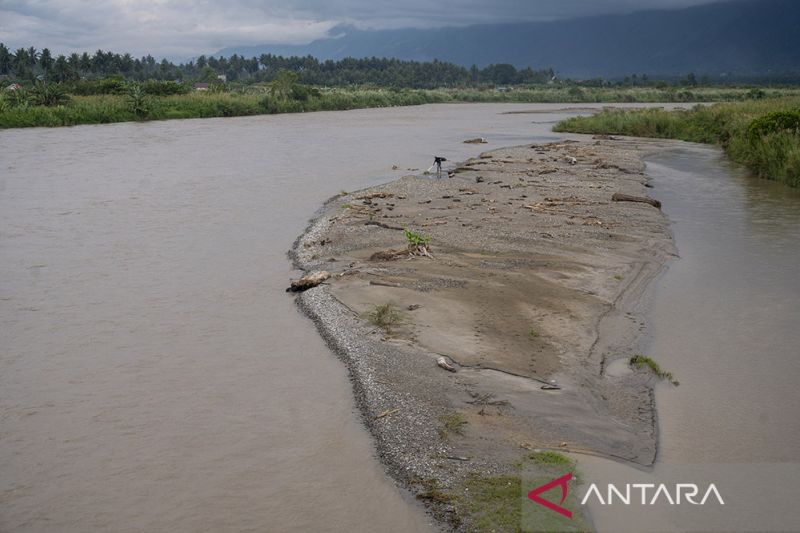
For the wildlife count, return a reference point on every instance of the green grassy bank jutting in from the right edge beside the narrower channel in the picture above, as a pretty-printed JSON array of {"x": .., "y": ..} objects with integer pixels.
[{"x": 762, "y": 134}]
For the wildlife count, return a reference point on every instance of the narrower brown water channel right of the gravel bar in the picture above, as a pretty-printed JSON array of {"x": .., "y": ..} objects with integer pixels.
[{"x": 724, "y": 320}]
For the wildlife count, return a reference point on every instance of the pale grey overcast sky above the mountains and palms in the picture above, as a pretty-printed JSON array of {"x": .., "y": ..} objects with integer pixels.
[{"x": 186, "y": 28}]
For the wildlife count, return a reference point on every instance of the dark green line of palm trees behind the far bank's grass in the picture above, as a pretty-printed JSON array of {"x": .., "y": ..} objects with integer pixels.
[{"x": 31, "y": 64}]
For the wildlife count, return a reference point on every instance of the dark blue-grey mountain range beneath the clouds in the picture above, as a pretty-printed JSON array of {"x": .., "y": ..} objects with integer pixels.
[{"x": 744, "y": 38}]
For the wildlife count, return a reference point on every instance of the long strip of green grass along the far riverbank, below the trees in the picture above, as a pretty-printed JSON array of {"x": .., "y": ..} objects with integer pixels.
[{"x": 54, "y": 105}]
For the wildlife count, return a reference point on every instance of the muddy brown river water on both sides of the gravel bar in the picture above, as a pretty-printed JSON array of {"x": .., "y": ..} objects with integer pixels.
[{"x": 155, "y": 377}]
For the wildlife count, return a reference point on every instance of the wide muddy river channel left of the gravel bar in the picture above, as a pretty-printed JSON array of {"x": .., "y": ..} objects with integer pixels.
[{"x": 153, "y": 374}]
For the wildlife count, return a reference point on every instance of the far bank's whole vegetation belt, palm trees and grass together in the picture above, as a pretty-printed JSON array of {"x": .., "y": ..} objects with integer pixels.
[{"x": 39, "y": 89}]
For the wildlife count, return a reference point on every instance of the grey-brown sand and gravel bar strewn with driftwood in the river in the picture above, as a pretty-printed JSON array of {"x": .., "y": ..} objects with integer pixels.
[{"x": 535, "y": 278}]
